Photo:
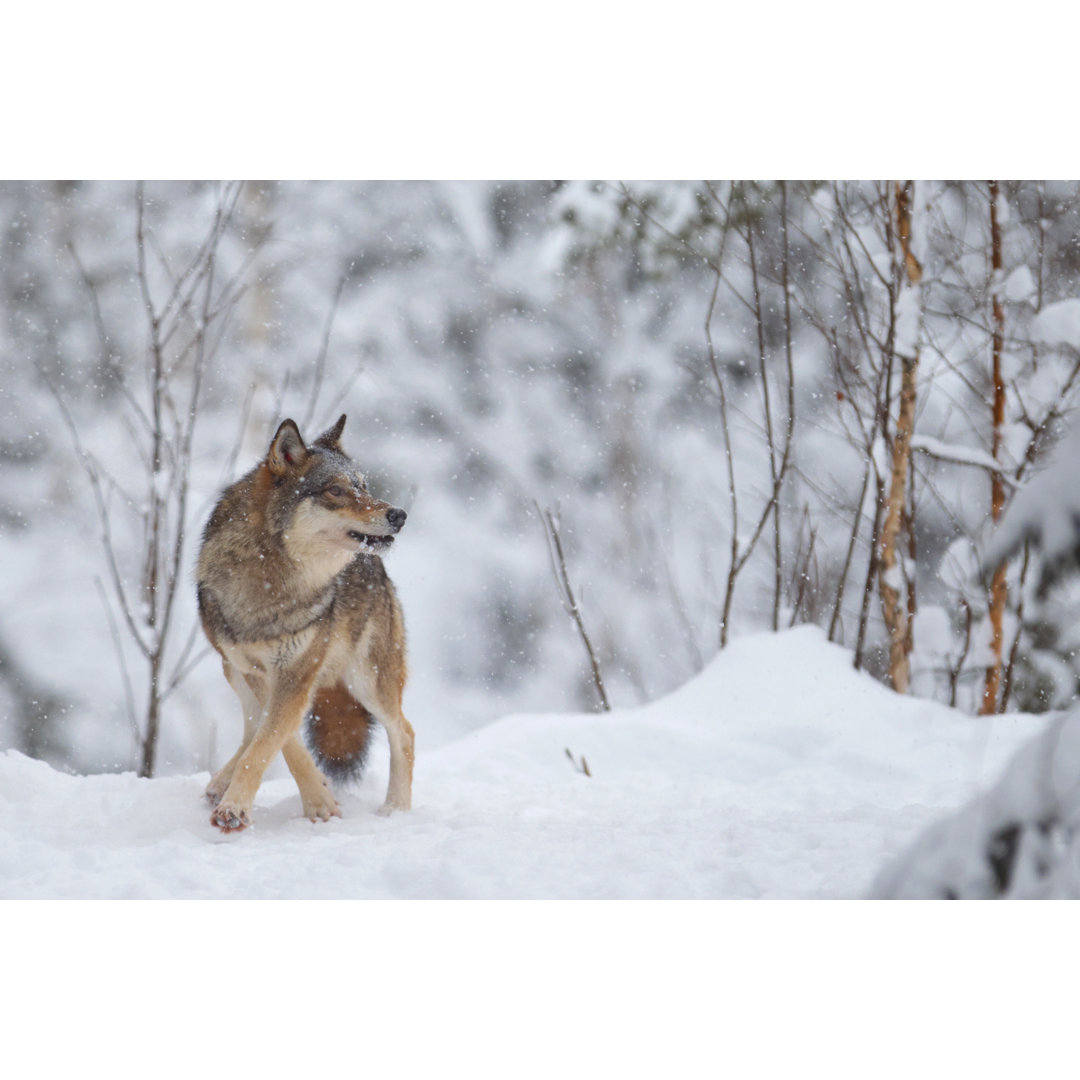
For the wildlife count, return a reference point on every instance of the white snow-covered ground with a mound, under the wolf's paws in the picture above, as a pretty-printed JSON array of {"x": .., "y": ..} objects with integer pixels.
[{"x": 778, "y": 773}]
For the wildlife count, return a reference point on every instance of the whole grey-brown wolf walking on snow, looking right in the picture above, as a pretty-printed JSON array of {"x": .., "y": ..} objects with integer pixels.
[{"x": 294, "y": 598}]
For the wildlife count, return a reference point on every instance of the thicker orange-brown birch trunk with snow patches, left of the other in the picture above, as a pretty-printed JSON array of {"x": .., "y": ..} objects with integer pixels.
[{"x": 892, "y": 580}]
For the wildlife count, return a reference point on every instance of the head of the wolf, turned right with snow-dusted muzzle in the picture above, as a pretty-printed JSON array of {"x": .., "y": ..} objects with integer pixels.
[{"x": 327, "y": 511}]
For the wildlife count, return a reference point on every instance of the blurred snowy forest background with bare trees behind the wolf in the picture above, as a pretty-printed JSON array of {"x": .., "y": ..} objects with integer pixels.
[{"x": 713, "y": 387}]
